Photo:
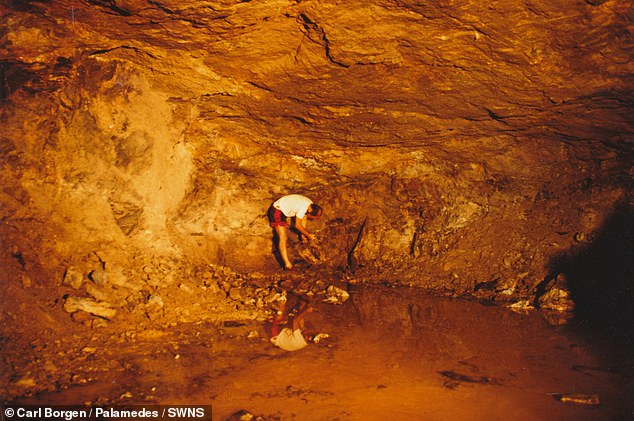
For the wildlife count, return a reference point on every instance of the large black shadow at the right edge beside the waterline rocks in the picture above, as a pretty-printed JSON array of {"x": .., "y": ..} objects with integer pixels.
[{"x": 601, "y": 277}]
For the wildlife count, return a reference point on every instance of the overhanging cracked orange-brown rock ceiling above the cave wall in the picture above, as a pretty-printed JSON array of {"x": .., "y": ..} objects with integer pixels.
[{"x": 347, "y": 74}]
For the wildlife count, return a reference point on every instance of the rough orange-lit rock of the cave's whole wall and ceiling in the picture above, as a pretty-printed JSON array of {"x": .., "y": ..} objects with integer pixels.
[{"x": 457, "y": 146}]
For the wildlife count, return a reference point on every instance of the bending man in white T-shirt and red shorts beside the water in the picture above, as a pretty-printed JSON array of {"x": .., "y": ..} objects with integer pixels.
[{"x": 298, "y": 208}]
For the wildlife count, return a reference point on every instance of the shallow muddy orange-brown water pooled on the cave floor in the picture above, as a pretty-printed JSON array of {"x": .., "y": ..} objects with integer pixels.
[{"x": 391, "y": 354}]
